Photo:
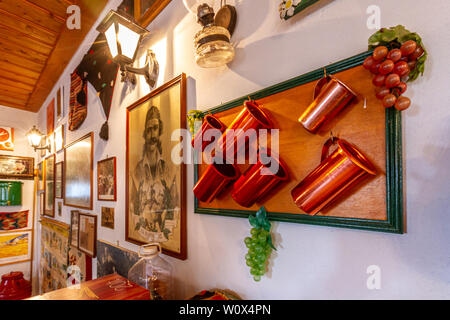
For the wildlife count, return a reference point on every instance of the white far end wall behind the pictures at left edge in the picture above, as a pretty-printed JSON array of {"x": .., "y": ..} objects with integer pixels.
[{"x": 21, "y": 121}]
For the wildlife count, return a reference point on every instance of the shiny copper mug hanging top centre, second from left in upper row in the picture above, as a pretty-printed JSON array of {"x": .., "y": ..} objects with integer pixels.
[{"x": 235, "y": 139}]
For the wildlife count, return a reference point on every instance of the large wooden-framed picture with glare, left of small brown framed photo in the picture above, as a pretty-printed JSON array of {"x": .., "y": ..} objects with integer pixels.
[{"x": 68, "y": 185}]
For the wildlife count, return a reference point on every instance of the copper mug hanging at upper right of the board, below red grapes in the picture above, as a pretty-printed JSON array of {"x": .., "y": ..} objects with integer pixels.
[{"x": 330, "y": 97}]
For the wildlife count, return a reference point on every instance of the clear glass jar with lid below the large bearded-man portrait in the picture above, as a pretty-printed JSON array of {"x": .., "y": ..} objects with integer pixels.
[{"x": 152, "y": 272}]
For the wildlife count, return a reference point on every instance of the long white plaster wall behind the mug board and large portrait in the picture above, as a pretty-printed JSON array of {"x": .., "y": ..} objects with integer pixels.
[{"x": 311, "y": 262}]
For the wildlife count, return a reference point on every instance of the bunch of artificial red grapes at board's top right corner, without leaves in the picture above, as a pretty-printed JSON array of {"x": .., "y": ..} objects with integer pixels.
[{"x": 391, "y": 69}]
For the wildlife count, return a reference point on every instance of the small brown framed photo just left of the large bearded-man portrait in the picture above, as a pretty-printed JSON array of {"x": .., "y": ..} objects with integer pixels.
[{"x": 106, "y": 180}]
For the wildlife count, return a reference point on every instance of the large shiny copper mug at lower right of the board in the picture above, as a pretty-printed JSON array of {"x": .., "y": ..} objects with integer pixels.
[{"x": 337, "y": 172}]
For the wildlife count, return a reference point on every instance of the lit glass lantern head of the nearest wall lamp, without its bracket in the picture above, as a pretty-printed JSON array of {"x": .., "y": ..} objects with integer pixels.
[{"x": 122, "y": 35}]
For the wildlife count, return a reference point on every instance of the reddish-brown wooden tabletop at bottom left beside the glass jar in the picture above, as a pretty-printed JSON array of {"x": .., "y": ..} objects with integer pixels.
[{"x": 110, "y": 287}]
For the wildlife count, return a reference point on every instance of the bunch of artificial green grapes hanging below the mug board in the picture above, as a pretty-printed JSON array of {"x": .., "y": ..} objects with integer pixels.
[{"x": 259, "y": 249}]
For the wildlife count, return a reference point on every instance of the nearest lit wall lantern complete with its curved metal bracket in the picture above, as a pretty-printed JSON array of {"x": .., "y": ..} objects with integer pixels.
[{"x": 124, "y": 36}]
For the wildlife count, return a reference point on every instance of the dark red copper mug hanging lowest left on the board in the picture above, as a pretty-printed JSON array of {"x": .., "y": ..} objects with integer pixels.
[{"x": 215, "y": 179}]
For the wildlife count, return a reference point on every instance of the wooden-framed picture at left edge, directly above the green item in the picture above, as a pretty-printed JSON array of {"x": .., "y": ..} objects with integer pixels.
[{"x": 15, "y": 167}]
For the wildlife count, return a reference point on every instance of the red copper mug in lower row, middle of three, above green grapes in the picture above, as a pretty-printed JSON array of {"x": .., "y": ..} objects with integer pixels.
[{"x": 259, "y": 179}]
